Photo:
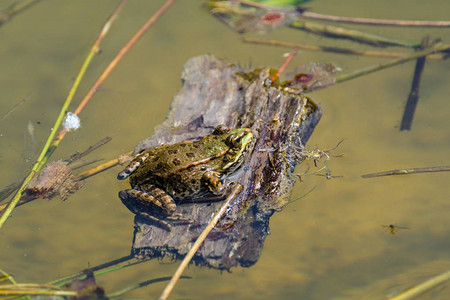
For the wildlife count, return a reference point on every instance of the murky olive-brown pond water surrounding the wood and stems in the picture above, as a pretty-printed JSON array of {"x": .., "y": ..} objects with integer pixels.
[{"x": 330, "y": 244}]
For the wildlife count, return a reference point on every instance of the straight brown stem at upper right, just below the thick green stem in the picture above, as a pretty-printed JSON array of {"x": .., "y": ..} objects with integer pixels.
[{"x": 338, "y": 50}]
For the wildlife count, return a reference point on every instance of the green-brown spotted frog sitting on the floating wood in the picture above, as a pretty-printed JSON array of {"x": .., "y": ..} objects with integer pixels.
[{"x": 164, "y": 176}]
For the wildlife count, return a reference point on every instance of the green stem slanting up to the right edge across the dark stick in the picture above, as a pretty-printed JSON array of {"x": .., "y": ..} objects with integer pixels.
[{"x": 390, "y": 63}]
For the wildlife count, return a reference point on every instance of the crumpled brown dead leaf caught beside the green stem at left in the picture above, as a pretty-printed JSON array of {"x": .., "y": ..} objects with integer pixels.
[{"x": 55, "y": 179}]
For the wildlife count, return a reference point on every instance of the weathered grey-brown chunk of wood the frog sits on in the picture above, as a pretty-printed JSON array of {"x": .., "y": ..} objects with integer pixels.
[{"x": 217, "y": 92}]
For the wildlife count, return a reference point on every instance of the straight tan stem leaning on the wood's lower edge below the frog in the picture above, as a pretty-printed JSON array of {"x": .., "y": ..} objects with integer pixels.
[{"x": 199, "y": 241}]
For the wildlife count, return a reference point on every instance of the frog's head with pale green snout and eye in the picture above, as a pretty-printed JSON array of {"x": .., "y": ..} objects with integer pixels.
[{"x": 239, "y": 141}]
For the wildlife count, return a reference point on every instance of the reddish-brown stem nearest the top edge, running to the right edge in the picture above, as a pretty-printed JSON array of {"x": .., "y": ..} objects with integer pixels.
[{"x": 369, "y": 21}]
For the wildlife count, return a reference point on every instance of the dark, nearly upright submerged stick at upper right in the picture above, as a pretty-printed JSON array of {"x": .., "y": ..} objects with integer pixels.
[{"x": 413, "y": 97}]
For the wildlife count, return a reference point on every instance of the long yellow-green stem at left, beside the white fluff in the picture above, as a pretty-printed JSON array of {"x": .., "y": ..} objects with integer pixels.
[{"x": 46, "y": 152}]
